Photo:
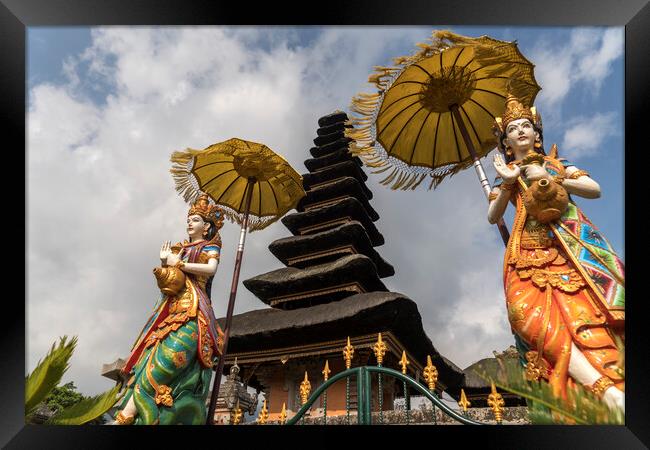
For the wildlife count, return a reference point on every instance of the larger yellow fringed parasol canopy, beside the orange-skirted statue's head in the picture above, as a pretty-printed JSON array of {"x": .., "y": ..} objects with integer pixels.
[{"x": 409, "y": 125}]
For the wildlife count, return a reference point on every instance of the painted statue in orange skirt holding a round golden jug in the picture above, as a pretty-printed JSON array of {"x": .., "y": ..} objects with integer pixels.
[{"x": 564, "y": 284}]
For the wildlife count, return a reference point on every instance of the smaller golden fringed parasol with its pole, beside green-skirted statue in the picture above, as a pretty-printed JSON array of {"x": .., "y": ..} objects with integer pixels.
[{"x": 252, "y": 184}]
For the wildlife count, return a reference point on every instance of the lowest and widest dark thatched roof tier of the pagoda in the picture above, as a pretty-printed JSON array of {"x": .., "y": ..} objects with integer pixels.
[{"x": 367, "y": 313}]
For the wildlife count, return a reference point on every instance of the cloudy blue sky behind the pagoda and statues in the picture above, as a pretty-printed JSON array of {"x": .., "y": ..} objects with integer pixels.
[{"x": 107, "y": 107}]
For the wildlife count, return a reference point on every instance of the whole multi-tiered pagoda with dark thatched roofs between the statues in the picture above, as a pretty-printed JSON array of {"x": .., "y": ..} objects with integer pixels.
[{"x": 330, "y": 289}]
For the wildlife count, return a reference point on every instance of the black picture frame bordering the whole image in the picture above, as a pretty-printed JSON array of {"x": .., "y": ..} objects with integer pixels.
[{"x": 16, "y": 15}]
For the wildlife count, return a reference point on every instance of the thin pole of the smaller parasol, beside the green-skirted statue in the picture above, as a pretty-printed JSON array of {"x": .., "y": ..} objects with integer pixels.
[{"x": 231, "y": 302}]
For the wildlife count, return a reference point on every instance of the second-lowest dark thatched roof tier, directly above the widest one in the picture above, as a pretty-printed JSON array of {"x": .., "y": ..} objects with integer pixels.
[{"x": 291, "y": 288}]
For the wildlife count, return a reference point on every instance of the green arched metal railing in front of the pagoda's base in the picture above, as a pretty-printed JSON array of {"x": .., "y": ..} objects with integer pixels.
[{"x": 364, "y": 395}]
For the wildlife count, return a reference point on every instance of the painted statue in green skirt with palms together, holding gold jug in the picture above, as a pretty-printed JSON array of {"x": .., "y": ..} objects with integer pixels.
[{"x": 170, "y": 365}]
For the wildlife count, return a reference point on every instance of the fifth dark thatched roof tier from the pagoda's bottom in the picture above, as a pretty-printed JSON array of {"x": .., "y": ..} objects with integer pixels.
[{"x": 328, "y": 193}]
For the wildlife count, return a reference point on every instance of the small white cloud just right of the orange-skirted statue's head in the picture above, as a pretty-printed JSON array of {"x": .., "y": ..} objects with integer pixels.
[{"x": 584, "y": 135}]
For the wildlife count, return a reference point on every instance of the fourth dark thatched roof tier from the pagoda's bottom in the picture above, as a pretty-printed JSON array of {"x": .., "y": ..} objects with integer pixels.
[{"x": 331, "y": 216}]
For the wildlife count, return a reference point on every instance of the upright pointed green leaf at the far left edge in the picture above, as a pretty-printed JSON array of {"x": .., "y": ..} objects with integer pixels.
[{"x": 48, "y": 373}]
